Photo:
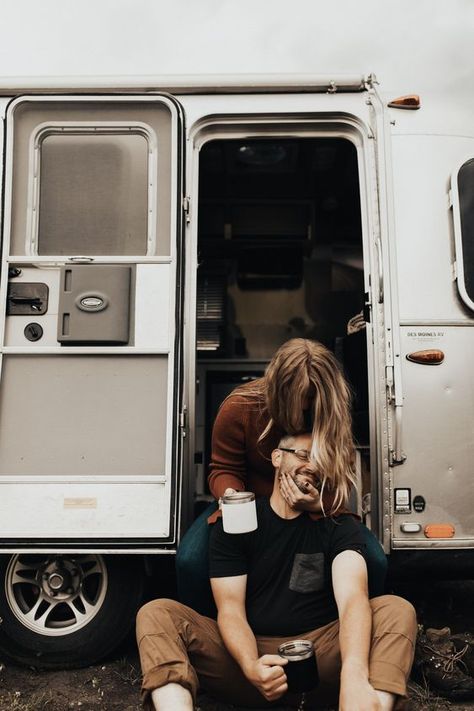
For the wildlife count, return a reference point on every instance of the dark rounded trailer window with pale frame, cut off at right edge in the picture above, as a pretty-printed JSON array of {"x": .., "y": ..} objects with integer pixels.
[{"x": 463, "y": 206}]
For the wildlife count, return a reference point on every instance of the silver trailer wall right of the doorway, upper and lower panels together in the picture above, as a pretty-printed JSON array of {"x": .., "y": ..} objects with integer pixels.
[{"x": 434, "y": 313}]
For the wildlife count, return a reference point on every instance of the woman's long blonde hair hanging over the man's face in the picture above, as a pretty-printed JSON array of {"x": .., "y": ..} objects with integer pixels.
[{"x": 305, "y": 375}]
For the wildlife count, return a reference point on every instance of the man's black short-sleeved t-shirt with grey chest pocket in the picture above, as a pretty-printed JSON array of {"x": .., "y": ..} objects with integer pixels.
[{"x": 288, "y": 567}]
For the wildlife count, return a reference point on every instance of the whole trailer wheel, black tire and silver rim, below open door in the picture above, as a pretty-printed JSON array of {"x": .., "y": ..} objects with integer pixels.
[{"x": 66, "y": 611}]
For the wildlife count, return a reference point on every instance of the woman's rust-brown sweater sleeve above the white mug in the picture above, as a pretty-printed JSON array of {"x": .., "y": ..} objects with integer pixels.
[{"x": 228, "y": 458}]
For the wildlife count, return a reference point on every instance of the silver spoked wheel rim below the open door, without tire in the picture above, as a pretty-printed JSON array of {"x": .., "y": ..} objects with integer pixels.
[{"x": 55, "y": 595}]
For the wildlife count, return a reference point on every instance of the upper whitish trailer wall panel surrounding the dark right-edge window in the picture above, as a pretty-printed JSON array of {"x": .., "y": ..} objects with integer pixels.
[{"x": 424, "y": 242}]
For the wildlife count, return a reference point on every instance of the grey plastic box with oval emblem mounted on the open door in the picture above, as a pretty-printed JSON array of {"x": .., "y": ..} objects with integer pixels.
[{"x": 94, "y": 304}]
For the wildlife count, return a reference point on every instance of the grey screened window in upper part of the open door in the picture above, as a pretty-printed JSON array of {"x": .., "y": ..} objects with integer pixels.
[{"x": 93, "y": 193}]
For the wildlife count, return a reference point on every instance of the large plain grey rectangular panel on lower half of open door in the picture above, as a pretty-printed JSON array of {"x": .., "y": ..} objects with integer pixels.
[{"x": 87, "y": 415}]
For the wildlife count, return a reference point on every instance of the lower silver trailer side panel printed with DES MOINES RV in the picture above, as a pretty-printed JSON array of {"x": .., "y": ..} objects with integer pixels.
[{"x": 437, "y": 431}]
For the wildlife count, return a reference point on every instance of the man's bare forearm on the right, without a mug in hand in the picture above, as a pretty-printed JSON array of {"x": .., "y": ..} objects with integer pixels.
[{"x": 349, "y": 574}]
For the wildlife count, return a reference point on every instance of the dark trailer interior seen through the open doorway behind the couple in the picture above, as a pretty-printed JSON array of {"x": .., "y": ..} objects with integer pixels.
[{"x": 279, "y": 256}]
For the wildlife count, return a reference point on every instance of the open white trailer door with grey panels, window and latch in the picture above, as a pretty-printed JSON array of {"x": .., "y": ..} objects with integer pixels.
[{"x": 89, "y": 436}]
